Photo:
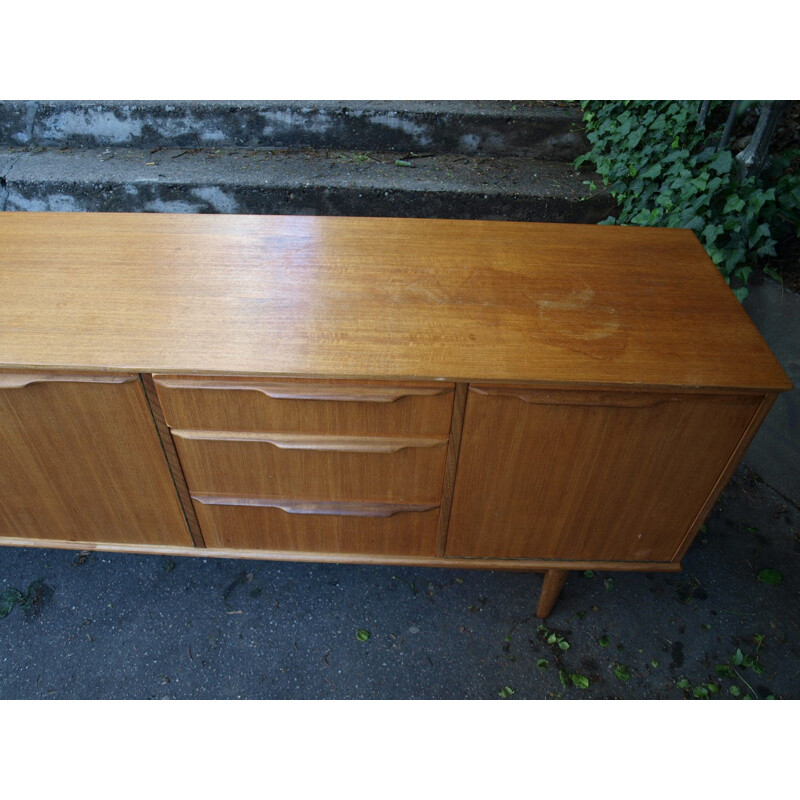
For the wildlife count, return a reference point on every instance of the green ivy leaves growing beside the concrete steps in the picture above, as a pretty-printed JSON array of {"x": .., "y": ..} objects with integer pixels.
[{"x": 664, "y": 172}]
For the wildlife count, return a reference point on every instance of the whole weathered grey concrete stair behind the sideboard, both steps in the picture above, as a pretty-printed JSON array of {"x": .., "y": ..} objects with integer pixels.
[{"x": 488, "y": 160}]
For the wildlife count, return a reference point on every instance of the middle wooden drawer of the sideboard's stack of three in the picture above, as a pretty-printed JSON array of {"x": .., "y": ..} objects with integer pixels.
[{"x": 299, "y": 466}]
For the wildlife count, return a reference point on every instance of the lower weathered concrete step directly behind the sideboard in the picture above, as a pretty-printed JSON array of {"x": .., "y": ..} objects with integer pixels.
[{"x": 255, "y": 181}]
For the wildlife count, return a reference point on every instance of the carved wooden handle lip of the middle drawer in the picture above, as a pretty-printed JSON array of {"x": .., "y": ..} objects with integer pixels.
[{"x": 302, "y": 441}]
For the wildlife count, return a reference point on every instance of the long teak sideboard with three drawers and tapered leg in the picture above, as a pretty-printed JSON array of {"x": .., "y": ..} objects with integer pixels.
[{"x": 543, "y": 397}]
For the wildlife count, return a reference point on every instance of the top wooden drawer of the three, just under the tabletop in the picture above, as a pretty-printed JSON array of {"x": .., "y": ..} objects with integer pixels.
[{"x": 371, "y": 408}]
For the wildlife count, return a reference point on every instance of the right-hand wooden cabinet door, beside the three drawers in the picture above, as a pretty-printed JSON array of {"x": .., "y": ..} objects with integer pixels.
[{"x": 600, "y": 476}]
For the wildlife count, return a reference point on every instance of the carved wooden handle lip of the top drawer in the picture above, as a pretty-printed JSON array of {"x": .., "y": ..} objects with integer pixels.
[{"x": 304, "y": 391}]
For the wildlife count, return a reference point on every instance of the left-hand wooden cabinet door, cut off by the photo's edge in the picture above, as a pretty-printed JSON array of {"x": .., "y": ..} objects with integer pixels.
[{"x": 82, "y": 462}]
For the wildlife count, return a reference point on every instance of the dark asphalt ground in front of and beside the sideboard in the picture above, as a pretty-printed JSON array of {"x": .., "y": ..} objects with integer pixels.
[{"x": 98, "y": 625}]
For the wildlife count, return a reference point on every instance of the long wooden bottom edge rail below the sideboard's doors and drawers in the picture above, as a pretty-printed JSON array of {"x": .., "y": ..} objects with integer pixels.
[{"x": 513, "y": 565}]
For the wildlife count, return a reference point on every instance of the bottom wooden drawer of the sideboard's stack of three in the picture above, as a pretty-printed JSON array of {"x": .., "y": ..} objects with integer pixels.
[{"x": 318, "y": 527}]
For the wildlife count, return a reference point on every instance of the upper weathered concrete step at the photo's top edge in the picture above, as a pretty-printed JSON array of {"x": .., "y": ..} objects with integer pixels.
[{"x": 546, "y": 131}]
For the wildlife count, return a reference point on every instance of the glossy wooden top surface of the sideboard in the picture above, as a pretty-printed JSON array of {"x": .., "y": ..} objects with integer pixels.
[{"x": 372, "y": 298}]
